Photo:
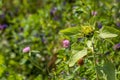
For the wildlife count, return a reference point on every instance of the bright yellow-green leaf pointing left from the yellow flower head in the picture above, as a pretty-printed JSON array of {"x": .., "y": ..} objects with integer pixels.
[{"x": 70, "y": 31}]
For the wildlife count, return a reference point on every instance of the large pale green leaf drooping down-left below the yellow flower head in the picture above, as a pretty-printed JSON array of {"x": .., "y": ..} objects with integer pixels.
[{"x": 77, "y": 56}]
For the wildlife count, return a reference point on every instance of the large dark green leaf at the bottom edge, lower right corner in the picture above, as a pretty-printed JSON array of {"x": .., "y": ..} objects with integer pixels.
[{"x": 109, "y": 70}]
